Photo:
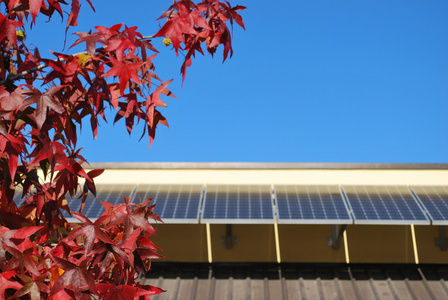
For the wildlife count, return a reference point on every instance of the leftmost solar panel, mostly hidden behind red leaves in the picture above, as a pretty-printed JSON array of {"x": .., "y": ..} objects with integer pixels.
[{"x": 112, "y": 193}]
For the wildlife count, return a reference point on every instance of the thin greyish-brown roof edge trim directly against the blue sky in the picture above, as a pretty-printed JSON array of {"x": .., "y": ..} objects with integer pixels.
[{"x": 270, "y": 165}]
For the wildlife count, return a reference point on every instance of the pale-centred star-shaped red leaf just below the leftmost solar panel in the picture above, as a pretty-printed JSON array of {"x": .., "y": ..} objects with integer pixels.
[{"x": 91, "y": 231}]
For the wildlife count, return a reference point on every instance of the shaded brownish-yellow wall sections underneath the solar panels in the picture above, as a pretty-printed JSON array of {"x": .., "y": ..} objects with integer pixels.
[{"x": 299, "y": 243}]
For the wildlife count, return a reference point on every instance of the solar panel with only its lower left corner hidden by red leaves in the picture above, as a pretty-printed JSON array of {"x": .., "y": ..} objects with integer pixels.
[{"x": 174, "y": 203}]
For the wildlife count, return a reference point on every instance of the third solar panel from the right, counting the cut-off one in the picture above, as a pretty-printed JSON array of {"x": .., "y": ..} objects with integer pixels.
[{"x": 311, "y": 205}]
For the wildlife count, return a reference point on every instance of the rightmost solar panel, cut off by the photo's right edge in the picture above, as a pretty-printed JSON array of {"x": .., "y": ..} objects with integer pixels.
[{"x": 435, "y": 200}]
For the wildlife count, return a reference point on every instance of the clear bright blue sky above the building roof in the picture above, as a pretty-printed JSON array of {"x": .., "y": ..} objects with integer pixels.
[{"x": 310, "y": 81}]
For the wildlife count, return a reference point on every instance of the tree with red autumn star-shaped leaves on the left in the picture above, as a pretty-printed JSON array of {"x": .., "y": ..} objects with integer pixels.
[{"x": 42, "y": 104}]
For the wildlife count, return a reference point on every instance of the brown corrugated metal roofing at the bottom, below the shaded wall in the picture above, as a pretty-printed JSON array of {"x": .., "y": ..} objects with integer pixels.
[{"x": 288, "y": 282}]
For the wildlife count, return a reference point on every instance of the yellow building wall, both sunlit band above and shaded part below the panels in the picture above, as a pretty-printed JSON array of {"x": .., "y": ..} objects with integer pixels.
[{"x": 298, "y": 243}]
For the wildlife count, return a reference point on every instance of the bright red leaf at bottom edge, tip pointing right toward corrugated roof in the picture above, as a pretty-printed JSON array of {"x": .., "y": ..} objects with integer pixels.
[{"x": 125, "y": 292}]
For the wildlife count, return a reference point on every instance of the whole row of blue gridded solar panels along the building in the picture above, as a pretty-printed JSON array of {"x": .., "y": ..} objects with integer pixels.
[{"x": 288, "y": 204}]
